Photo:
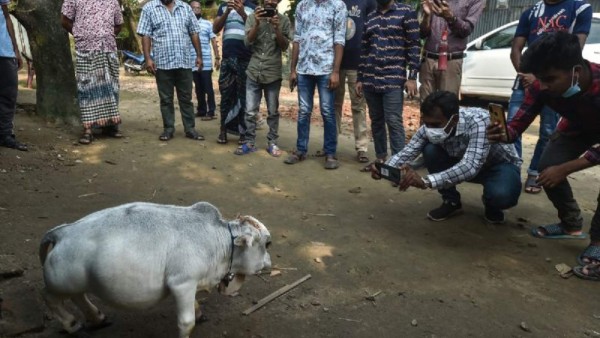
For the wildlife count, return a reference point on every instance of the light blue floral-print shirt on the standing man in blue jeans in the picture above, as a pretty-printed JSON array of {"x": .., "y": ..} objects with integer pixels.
[{"x": 320, "y": 25}]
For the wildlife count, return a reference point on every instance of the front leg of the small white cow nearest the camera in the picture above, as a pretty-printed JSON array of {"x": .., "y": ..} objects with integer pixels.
[{"x": 185, "y": 298}]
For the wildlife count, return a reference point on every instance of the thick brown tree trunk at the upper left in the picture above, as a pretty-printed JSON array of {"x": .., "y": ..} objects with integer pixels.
[{"x": 56, "y": 86}]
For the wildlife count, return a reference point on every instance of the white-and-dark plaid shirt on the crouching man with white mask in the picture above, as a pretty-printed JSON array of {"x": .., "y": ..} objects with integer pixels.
[{"x": 469, "y": 144}]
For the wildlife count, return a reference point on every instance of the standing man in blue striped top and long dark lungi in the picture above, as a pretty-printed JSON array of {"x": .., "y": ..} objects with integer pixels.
[{"x": 231, "y": 18}]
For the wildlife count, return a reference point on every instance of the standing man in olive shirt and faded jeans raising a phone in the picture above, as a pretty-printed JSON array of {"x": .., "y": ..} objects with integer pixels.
[{"x": 267, "y": 36}]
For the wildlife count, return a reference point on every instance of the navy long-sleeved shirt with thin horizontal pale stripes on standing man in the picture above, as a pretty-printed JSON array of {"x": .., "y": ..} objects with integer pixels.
[{"x": 390, "y": 44}]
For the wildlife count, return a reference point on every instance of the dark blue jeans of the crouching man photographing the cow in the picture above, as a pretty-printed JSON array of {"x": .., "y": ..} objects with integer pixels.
[{"x": 501, "y": 182}]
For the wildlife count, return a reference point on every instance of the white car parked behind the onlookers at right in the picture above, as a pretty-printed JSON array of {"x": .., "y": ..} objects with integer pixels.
[{"x": 487, "y": 69}]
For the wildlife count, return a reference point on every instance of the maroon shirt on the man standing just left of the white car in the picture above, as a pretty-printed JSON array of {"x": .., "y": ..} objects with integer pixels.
[{"x": 467, "y": 14}]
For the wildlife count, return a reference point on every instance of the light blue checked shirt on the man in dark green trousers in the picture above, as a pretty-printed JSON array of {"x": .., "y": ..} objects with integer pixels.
[{"x": 170, "y": 33}]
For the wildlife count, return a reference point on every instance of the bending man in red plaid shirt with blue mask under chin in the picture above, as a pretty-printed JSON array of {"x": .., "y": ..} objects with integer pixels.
[{"x": 570, "y": 86}]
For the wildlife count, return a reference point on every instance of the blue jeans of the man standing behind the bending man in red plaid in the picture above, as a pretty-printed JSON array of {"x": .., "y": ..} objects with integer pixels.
[{"x": 548, "y": 121}]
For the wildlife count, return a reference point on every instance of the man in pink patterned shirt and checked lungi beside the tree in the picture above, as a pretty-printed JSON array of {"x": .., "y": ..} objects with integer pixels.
[{"x": 94, "y": 25}]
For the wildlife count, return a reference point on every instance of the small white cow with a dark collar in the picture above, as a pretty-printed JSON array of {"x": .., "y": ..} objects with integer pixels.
[{"x": 135, "y": 255}]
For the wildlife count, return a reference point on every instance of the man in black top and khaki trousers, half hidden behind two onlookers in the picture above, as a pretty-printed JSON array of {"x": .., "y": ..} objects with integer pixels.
[{"x": 358, "y": 10}]
